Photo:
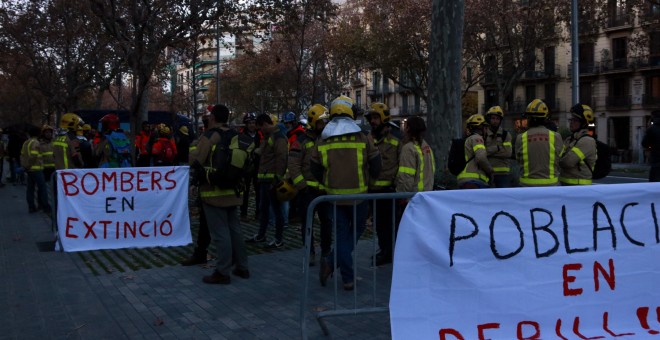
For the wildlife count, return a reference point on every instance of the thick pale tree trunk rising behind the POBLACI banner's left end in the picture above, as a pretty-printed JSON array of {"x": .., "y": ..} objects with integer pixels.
[{"x": 444, "y": 117}]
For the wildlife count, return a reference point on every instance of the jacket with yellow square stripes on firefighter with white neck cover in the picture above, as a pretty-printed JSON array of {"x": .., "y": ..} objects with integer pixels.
[{"x": 344, "y": 163}]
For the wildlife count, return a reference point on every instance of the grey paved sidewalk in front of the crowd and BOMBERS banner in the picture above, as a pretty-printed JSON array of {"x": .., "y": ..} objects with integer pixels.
[{"x": 52, "y": 295}]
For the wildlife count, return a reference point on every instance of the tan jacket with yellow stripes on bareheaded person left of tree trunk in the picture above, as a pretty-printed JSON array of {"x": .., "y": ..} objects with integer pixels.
[{"x": 416, "y": 168}]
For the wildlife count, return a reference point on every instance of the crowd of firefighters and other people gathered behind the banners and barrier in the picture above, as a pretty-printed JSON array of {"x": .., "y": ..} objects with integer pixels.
[{"x": 298, "y": 159}]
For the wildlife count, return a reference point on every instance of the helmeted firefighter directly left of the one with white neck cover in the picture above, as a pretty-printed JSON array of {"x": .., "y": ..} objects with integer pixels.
[{"x": 299, "y": 174}]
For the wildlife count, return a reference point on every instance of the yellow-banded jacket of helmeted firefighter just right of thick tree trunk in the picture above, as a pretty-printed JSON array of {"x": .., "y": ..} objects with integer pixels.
[{"x": 477, "y": 168}]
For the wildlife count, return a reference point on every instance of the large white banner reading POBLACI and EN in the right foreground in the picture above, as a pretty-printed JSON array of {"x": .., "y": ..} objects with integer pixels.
[{"x": 529, "y": 263}]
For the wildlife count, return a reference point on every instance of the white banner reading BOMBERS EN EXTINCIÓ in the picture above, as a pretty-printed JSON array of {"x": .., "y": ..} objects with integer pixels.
[{"x": 123, "y": 208}]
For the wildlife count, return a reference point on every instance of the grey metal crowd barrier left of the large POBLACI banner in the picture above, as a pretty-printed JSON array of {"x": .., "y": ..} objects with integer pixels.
[{"x": 341, "y": 310}]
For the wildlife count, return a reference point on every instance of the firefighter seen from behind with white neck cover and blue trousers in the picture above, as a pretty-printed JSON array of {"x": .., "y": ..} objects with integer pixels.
[{"x": 343, "y": 161}]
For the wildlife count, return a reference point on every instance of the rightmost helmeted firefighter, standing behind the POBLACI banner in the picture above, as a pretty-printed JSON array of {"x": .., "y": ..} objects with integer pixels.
[{"x": 578, "y": 155}]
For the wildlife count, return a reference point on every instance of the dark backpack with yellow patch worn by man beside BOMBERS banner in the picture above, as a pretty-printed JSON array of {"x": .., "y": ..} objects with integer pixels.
[{"x": 230, "y": 160}]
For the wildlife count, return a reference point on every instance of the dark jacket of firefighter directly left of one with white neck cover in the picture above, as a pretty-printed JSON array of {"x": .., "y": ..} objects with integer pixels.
[{"x": 300, "y": 157}]
